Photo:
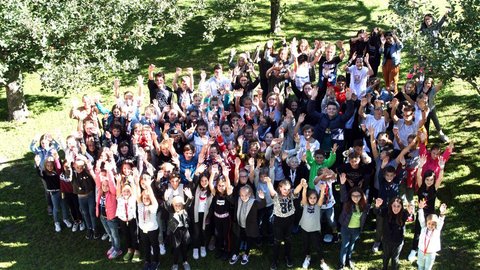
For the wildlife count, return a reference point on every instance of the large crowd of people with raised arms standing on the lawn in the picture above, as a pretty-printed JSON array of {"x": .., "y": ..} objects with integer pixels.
[{"x": 282, "y": 144}]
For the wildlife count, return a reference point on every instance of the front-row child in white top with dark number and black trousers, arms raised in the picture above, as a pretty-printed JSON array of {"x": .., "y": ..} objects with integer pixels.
[{"x": 283, "y": 218}]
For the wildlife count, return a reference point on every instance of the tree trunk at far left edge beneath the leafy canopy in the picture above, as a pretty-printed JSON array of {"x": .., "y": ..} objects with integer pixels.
[{"x": 17, "y": 107}]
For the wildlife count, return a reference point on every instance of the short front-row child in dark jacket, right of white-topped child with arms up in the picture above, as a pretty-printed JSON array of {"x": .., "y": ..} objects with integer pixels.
[{"x": 177, "y": 228}]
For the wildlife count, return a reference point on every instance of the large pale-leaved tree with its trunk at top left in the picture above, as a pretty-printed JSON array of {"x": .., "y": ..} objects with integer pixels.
[{"x": 75, "y": 44}]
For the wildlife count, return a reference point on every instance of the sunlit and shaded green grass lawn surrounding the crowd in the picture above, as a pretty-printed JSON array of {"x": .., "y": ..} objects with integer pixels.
[{"x": 27, "y": 238}]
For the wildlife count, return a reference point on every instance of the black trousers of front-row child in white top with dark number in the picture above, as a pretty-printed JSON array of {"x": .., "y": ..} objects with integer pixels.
[{"x": 282, "y": 231}]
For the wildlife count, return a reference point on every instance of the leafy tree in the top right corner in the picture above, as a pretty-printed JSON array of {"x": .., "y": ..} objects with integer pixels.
[{"x": 454, "y": 53}]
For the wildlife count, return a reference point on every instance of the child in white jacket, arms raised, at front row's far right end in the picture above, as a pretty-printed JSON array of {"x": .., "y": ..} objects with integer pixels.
[{"x": 429, "y": 243}]
